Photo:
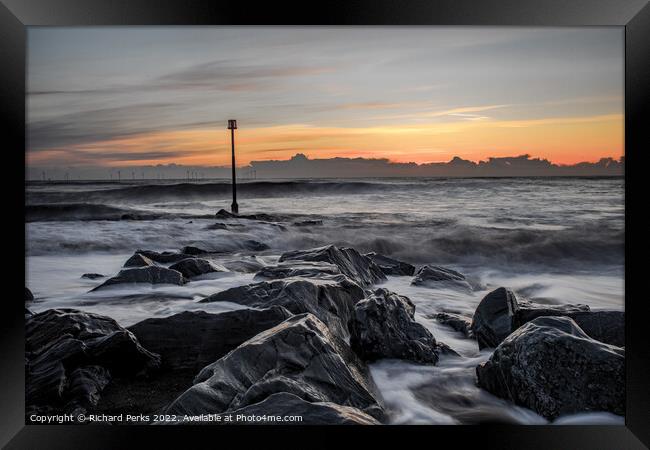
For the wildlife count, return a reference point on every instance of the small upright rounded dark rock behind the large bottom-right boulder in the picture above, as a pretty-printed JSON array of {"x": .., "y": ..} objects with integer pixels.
[{"x": 494, "y": 318}]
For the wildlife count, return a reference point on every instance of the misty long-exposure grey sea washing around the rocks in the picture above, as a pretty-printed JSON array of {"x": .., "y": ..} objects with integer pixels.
[{"x": 551, "y": 240}]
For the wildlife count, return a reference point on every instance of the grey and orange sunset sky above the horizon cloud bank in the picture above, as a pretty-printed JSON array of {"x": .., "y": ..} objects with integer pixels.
[{"x": 133, "y": 96}]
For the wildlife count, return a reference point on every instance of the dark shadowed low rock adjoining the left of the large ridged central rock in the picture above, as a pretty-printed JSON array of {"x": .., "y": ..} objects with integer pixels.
[{"x": 194, "y": 339}]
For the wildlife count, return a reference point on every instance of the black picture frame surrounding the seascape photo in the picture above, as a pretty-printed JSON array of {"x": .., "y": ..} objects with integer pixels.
[{"x": 634, "y": 15}]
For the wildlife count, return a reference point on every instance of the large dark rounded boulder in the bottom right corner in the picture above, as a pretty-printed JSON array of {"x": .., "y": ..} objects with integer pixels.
[{"x": 552, "y": 367}]
